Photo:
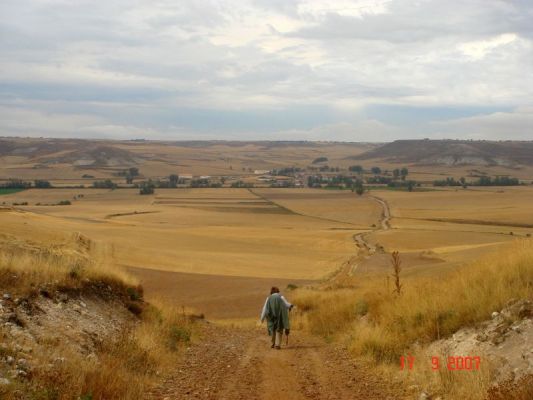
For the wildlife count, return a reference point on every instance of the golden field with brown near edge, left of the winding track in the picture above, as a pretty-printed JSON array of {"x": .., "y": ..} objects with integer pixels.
[{"x": 215, "y": 234}]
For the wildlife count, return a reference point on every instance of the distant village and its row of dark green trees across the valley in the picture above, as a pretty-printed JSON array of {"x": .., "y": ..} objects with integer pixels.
[{"x": 317, "y": 175}]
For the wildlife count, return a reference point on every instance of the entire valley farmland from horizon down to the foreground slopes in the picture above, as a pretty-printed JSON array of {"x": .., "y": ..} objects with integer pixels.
[{"x": 218, "y": 249}]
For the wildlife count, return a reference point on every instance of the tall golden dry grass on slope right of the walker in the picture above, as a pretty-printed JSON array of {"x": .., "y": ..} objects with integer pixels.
[{"x": 427, "y": 309}]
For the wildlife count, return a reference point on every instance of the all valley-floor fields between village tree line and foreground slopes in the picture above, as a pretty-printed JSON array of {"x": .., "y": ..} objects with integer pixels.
[{"x": 218, "y": 250}]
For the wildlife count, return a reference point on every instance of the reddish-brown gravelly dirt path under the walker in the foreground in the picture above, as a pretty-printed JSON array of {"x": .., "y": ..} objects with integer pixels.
[{"x": 239, "y": 364}]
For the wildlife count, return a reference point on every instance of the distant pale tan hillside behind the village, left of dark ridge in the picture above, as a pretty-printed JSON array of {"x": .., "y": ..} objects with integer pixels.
[{"x": 66, "y": 161}]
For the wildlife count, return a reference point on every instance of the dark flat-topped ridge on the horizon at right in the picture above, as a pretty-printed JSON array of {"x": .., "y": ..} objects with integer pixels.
[{"x": 453, "y": 152}]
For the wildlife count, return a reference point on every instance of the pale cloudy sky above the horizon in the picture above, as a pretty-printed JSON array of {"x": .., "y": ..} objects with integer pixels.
[{"x": 329, "y": 70}]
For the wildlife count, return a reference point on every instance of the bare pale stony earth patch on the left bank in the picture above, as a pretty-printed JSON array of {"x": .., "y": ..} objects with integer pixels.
[{"x": 42, "y": 334}]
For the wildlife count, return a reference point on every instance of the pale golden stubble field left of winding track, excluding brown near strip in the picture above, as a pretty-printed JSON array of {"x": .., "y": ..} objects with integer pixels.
[{"x": 175, "y": 238}]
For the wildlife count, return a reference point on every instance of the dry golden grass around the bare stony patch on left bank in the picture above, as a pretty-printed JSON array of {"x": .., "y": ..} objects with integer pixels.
[{"x": 125, "y": 366}]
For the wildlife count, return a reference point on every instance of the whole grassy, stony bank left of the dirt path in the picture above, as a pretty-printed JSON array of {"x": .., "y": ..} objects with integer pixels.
[{"x": 72, "y": 326}]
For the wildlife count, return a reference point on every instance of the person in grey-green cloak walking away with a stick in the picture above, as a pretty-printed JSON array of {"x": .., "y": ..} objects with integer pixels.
[{"x": 276, "y": 312}]
